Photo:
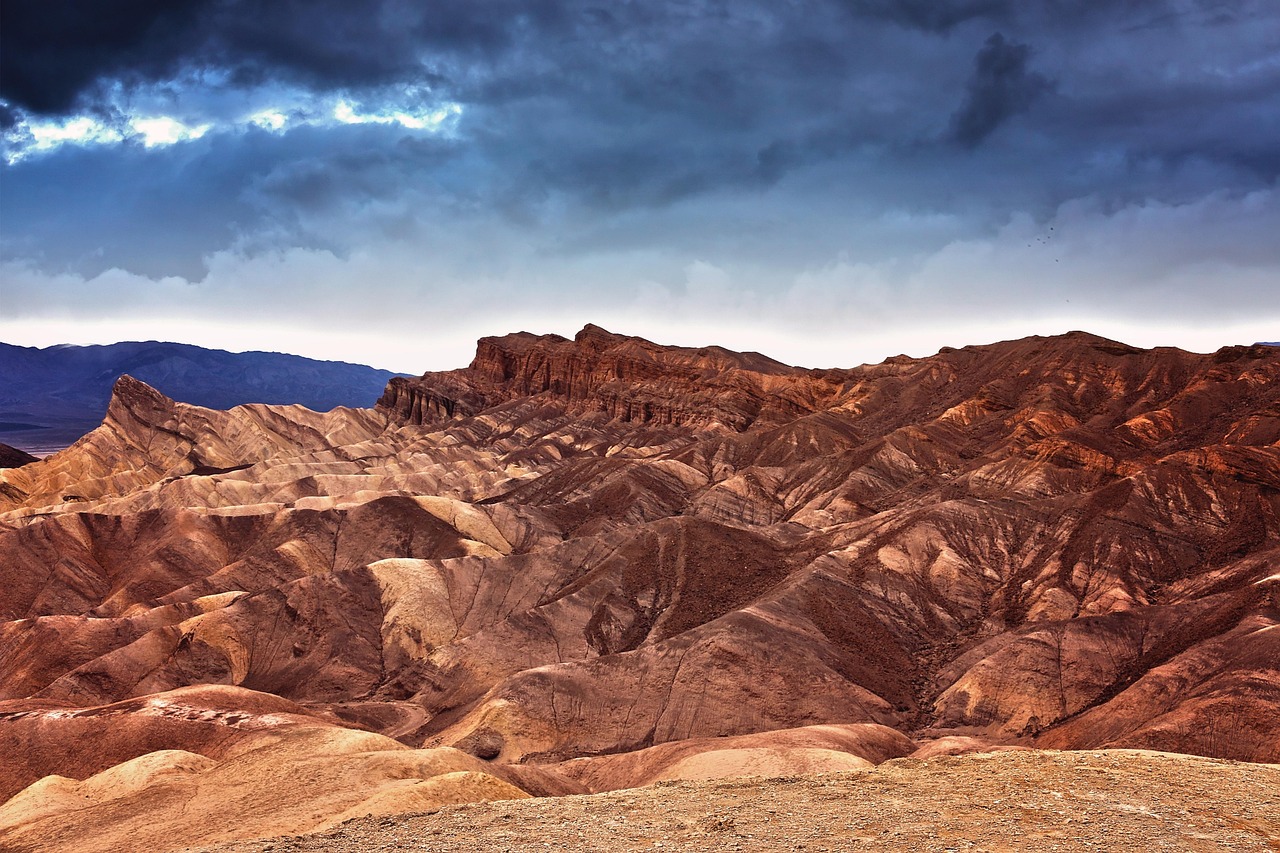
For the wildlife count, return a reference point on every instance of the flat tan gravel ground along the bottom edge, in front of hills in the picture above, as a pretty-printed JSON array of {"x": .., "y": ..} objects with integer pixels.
[{"x": 1012, "y": 801}]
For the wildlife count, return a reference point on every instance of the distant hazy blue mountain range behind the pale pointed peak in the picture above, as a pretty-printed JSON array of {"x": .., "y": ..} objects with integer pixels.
[{"x": 52, "y": 396}]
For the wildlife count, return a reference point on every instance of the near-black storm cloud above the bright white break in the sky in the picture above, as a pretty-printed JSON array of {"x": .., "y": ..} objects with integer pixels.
[{"x": 54, "y": 53}]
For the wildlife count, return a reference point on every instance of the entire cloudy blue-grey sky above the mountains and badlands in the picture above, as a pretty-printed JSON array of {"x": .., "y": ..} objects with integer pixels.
[{"x": 830, "y": 183}]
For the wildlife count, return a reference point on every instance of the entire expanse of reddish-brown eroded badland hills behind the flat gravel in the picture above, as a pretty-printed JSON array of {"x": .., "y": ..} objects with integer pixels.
[{"x": 597, "y": 564}]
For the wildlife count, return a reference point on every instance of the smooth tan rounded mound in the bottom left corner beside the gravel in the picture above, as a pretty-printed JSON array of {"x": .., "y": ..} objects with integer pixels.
[{"x": 303, "y": 779}]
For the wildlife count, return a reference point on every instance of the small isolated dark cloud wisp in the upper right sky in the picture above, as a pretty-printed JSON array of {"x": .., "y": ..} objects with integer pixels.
[{"x": 1002, "y": 86}]
